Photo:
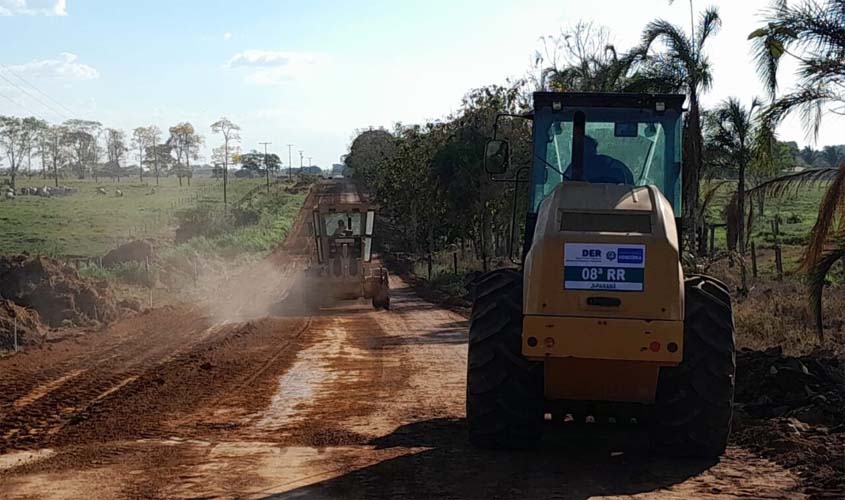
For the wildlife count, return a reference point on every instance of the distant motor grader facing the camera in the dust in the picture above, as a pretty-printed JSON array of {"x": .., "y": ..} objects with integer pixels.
[{"x": 342, "y": 266}]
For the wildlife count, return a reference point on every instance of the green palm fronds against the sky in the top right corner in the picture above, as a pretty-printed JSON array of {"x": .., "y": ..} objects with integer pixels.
[{"x": 813, "y": 33}]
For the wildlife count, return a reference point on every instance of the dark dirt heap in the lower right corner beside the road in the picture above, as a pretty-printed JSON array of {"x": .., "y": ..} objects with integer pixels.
[{"x": 792, "y": 410}]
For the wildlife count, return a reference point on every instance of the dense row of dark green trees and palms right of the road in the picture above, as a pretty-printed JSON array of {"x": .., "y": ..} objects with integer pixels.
[{"x": 429, "y": 179}]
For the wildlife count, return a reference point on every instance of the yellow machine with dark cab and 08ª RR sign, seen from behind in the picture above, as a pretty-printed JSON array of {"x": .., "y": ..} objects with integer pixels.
[{"x": 599, "y": 325}]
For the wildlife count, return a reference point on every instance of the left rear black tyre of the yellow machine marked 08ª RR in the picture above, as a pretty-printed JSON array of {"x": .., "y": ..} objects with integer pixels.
[{"x": 504, "y": 399}]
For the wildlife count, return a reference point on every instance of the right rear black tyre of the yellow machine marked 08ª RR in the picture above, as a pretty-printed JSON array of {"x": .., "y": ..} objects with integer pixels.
[{"x": 693, "y": 407}]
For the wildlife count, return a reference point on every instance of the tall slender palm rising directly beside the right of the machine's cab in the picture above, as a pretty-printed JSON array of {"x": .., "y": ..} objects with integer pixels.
[{"x": 685, "y": 54}]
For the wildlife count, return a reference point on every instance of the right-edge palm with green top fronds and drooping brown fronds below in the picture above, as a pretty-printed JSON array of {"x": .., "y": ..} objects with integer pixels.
[{"x": 813, "y": 33}]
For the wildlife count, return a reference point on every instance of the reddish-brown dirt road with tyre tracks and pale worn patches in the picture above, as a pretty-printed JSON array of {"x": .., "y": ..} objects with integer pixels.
[{"x": 251, "y": 400}]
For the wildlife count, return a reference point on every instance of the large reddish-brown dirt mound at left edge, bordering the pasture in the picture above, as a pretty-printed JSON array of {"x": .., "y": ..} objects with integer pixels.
[{"x": 56, "y": 291}]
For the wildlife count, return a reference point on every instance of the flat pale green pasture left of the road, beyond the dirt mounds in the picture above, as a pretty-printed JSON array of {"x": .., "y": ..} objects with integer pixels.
[{"x": 89, "y": 224}]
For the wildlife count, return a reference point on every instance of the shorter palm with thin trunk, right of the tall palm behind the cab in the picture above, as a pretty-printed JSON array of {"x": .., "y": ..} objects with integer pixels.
[{"x": 736, "y": 138}]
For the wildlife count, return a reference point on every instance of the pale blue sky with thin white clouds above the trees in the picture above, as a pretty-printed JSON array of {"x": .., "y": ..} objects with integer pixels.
[{"x": 311, "y": 73}]
